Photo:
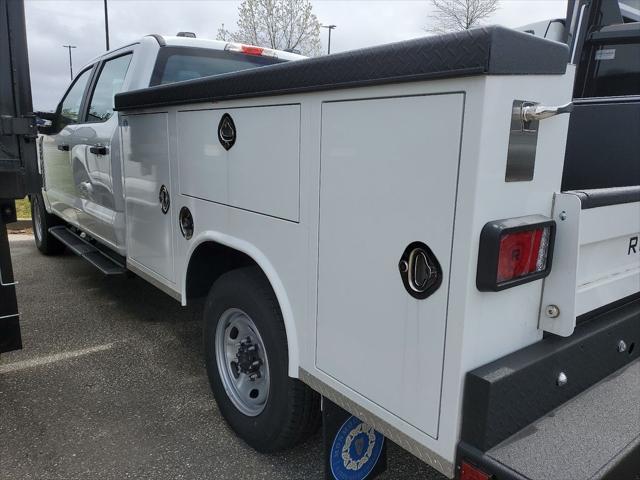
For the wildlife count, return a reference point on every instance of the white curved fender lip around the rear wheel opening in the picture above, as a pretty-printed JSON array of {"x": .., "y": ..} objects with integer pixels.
[{"x": 272, "y": 275}]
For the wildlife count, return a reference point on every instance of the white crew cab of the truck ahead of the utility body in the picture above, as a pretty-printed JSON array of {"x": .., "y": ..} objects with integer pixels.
[{"x": 80, "y": 149}]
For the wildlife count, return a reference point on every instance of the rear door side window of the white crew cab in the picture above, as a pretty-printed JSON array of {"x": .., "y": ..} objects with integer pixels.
[{"x": 109, "y": 83}]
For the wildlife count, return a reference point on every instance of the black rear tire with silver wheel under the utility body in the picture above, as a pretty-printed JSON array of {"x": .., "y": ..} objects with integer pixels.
[{"x": 290, "y": 411}]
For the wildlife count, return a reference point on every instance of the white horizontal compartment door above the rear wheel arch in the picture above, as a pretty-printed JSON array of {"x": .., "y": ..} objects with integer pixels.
[{"x": 260, "y": 172}]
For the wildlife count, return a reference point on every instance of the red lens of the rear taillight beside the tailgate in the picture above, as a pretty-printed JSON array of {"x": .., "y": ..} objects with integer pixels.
[{"x": 522, "y": 253}]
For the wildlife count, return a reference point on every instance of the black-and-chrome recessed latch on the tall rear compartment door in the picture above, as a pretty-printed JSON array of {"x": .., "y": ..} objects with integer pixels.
[{"x": 420, "y": 270}]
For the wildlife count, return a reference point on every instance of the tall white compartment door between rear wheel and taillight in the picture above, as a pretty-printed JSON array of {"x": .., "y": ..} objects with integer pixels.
[{"x": 389, "y": 172}]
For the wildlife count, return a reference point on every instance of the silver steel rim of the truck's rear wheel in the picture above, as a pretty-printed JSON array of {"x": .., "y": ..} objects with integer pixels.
[{"x": 242, "y": 362}]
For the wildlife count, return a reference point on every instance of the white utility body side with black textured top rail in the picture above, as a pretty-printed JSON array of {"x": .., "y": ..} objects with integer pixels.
[{"x": 417, "y": 158}]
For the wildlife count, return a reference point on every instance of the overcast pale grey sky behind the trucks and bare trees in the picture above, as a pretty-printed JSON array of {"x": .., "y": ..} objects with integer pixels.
[{"x": 53, "y": 23}]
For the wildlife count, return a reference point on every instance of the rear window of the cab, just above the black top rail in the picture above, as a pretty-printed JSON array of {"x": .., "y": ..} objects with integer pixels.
[{"x": 176, "y": 64}]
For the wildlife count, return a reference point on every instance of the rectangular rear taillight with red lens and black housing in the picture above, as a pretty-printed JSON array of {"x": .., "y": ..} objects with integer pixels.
[{"x": 514, "y": 251}]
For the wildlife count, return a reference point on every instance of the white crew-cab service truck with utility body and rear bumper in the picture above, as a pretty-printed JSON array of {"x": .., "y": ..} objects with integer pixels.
[{"x": 381, "y": 233}]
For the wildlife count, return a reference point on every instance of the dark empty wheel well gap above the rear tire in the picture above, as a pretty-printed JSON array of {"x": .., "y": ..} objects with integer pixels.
[{"x": 208, "y": 262}]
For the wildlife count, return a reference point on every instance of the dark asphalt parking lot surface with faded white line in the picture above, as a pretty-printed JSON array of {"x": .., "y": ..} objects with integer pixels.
[{"x": 111, "y": 385}]
